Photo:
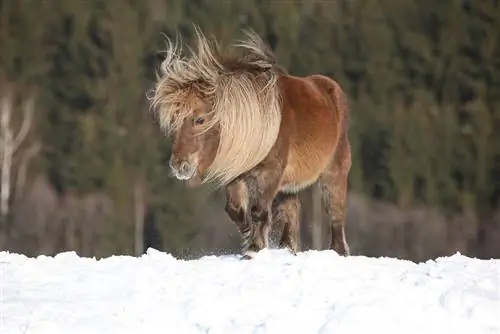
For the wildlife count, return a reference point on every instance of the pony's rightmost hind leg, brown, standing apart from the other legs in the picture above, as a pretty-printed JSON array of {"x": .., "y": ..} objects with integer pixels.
[{"x": 334, "y": 193}]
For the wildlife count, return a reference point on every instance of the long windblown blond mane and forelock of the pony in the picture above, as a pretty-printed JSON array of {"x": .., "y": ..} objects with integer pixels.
[{"x": 244, "y": 95}]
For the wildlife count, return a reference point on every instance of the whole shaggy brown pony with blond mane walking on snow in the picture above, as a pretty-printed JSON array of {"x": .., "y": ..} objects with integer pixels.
[{"x": 243, "y": 123}]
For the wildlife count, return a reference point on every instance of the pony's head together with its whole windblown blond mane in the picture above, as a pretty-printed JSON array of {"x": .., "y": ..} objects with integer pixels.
[{"x": 222, "y": 112}]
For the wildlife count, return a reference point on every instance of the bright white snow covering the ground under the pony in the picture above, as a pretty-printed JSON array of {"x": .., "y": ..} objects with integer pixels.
[{"x": 312, "y": 292}]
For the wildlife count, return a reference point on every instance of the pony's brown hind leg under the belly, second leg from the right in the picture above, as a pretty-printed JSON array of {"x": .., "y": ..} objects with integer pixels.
[{"x": 286, "y": 217}]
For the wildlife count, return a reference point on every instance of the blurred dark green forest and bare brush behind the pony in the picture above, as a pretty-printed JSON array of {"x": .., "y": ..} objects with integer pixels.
[{"x": 84, "y": 167}]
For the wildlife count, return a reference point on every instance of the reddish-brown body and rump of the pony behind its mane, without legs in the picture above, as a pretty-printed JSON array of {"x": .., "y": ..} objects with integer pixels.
[{"x": 312, "y": 115}]
